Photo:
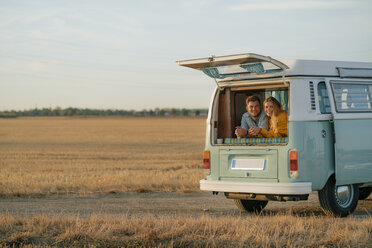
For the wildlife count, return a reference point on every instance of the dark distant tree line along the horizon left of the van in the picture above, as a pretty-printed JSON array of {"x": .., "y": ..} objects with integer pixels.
[{"x": 102, "y": 112}]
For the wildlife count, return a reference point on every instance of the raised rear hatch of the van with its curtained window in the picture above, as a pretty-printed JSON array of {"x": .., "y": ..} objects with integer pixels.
[{"x": 237, "y": 67}]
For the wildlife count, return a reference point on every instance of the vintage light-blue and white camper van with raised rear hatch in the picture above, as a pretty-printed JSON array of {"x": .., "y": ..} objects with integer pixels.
[{"x": 328, "y": 146}]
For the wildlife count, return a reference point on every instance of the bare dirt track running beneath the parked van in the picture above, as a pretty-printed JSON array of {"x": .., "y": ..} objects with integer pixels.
[{"x": 157, "y": 204}]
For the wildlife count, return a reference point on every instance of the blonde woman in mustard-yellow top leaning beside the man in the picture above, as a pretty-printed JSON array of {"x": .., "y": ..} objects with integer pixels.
[{"x": 278, "y": 120}]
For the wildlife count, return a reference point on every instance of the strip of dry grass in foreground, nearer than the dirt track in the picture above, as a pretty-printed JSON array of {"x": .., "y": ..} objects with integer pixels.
[{"x": 282, "y": 230}]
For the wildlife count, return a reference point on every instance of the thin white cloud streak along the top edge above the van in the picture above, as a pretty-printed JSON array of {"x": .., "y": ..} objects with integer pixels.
[{"x": 296, "y": 5}]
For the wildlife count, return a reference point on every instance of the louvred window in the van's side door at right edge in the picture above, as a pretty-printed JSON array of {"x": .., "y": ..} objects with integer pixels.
[{"x": 352, "y": 97}]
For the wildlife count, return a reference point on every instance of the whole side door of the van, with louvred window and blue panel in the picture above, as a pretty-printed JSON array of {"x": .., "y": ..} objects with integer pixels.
[{"x": 351, "y": 106}]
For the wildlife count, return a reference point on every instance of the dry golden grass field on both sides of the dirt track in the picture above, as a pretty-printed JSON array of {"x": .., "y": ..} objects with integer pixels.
[{"x": 70, "y": 158}]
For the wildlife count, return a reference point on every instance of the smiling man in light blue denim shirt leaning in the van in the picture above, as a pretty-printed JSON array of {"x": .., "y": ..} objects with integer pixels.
[{"x": 253, "y": 118}]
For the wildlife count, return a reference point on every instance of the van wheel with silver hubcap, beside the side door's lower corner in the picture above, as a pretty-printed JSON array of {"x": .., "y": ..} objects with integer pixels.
[{"x": 339, "y": 200}]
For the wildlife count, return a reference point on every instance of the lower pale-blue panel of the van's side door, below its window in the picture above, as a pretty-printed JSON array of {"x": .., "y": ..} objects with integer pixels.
[{"x": 353, "y": 151}]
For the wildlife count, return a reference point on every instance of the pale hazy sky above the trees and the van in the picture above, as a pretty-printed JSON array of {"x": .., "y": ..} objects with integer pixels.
[{"x": 121, "y": 54}]
